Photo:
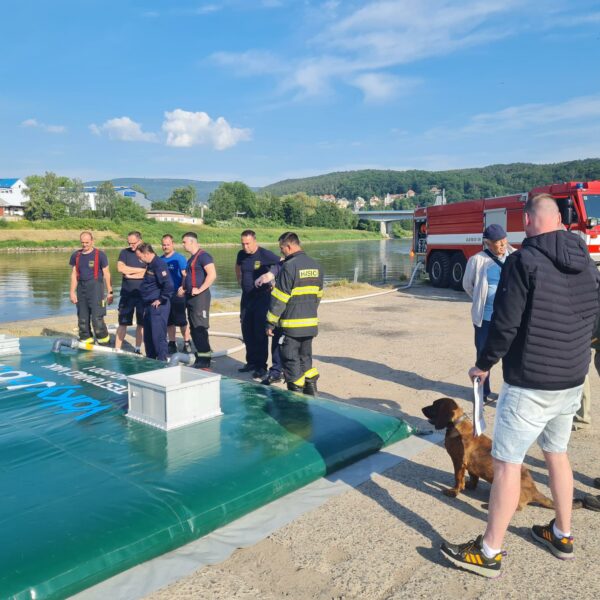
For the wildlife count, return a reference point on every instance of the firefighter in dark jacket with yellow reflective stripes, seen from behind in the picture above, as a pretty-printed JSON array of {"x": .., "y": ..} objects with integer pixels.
[{"x": 293, "y": 309}]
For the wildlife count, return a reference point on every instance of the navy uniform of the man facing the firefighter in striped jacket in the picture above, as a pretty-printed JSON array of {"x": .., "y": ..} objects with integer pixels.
[{"x": 255, "y": 304}]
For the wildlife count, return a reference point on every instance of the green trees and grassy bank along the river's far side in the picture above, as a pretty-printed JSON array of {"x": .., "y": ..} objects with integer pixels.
[{"x": 58, "y": 205}]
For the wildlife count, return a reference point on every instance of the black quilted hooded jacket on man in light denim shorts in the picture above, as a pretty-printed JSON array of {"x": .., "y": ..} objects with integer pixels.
[{"x": 544, "y": 313}]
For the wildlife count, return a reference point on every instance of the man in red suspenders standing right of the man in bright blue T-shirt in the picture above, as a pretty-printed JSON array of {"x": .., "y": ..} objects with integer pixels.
[{"x": 200, "y": 274}]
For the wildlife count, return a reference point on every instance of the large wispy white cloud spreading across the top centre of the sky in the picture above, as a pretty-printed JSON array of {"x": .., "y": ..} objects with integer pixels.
[{"x": 355, "y": 46}]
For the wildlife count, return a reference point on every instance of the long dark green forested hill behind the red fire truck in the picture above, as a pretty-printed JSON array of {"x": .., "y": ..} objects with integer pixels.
[{"x": 460, "y": 184}]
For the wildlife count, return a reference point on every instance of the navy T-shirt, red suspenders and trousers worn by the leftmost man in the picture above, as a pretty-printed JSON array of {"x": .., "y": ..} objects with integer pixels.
[{"x": 91, "y": 304}]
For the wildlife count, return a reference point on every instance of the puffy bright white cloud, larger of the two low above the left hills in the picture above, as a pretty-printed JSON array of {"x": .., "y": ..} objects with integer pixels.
[{"x": 185, "y": 129}]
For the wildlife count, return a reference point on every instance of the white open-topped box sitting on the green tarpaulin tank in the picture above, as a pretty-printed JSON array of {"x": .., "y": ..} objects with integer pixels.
[{"x": 174, "y": 397}]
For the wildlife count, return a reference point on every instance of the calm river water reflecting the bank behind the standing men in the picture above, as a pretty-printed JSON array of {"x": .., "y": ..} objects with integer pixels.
[{"x": 34, "y": 285}]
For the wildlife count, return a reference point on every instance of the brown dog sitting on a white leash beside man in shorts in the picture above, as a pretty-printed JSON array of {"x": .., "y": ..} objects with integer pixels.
[{"x": 473, "y": 454}]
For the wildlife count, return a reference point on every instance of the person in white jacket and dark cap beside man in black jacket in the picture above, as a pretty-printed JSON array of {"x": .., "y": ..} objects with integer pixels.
[{"x": 482, "y": 275}]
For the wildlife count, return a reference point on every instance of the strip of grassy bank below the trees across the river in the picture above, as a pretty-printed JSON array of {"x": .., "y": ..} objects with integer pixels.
[{"x": 41, "y": 235}]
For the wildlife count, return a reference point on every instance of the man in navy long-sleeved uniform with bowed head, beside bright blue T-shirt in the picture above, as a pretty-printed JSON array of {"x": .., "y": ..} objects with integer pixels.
[{"x": 156, "y": 291}]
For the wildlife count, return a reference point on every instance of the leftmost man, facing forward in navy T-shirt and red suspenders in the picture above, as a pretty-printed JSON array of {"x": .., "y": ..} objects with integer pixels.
[{"x": 89, "y": 274}]
